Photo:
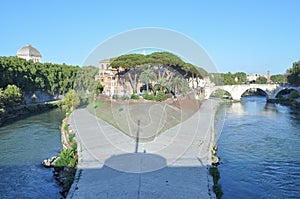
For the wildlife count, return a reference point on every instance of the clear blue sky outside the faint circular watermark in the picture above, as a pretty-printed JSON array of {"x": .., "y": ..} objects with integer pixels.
[{"x": 250, "y": 36}]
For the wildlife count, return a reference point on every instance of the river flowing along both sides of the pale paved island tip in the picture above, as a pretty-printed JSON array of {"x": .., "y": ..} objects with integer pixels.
[{"x": 259, "y": 146}]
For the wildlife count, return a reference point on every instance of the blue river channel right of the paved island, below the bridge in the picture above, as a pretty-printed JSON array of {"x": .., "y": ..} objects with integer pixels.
[{"x": 259, "y": 146}]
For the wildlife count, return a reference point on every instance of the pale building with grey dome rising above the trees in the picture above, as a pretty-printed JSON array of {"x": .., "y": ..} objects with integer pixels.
[{"x": 29, "y": 53}]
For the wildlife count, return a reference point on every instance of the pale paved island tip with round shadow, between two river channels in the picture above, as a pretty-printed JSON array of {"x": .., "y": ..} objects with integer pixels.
[{"x": 174, "y": 165}]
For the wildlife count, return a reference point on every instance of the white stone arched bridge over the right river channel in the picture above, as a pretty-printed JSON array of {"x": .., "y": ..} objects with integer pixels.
[{"x": 236, "y": 91}]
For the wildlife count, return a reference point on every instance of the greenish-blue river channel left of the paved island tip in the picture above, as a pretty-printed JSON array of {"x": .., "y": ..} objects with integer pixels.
[{"x": 24, "y": 144}]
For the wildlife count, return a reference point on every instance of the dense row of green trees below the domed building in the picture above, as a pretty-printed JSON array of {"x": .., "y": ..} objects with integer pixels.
[{"x": 30, "y": 76}]
